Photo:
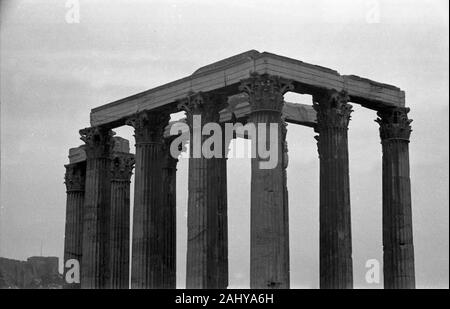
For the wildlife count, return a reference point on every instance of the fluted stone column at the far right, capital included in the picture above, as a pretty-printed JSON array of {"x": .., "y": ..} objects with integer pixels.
[{"x": 398, "y": 250}]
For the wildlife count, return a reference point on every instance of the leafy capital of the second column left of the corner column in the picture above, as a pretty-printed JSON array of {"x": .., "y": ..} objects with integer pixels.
[{"x": 149, "y": 125}]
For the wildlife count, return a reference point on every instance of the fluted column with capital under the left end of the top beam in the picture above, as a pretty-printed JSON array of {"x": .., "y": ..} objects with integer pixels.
[{"x": 95, "y": 263}]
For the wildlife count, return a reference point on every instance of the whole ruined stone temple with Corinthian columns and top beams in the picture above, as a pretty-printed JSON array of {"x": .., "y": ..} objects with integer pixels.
[{"x": 248, "y": 88}]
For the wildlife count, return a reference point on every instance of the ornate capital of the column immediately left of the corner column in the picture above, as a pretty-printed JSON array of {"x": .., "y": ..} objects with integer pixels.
[{"x": 208, "y": 105}]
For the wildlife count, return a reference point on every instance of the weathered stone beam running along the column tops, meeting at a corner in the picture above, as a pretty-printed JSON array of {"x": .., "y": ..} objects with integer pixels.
[{"x": 227, "y": 74}]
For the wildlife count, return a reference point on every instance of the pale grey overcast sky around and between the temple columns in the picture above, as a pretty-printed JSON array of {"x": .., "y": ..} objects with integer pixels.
[{"x": 53, "y": 73}]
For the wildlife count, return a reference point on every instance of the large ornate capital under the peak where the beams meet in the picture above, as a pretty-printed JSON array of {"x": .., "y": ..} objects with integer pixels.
[{"x": 266, "y": 91}]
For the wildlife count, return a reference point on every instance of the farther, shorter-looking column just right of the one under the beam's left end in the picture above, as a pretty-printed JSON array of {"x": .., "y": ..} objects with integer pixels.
[{"x": 121, "y": 170}]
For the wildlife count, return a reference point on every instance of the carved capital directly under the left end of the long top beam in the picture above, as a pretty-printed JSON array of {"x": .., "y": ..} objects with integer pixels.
[{"x": 98, "y": 140}]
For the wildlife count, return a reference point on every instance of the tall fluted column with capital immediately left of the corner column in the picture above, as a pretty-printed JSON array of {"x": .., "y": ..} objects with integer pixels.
[{"x": 207, "y": 263}]
